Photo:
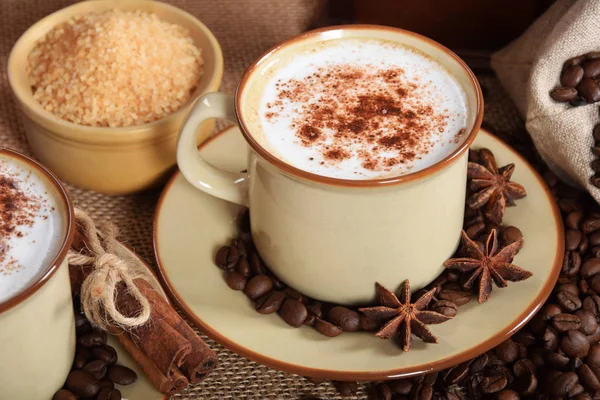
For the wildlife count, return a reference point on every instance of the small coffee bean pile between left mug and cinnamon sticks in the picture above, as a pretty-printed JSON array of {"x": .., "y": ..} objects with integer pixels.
[{"x": 95, "y": 370}]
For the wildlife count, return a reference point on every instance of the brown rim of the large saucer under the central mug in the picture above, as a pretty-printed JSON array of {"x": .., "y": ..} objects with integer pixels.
[{"x": 518, "y": 322}]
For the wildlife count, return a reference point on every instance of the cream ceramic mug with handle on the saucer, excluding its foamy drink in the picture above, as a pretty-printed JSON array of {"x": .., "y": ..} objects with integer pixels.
[{"x": 330, "y": 238}]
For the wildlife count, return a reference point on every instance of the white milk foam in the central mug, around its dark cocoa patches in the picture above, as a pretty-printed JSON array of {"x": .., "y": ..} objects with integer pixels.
[{"x": 435, "y": 87}]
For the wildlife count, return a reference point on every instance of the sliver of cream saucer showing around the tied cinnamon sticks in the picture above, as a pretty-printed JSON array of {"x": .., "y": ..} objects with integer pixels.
[{"x": 142, "y": 389}]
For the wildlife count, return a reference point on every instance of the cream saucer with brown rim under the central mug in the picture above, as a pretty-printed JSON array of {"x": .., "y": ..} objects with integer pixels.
[{"x": 190, "y": 226}]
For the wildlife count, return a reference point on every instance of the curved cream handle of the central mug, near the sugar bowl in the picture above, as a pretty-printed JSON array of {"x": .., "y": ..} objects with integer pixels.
[{"x": 225, "y": 185}]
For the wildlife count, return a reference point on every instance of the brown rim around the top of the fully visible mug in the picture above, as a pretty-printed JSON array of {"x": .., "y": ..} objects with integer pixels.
[{"x": 290, "y": 169}]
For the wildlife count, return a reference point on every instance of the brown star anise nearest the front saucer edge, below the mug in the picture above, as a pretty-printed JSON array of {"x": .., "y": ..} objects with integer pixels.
[{"x": 403, "y": 317}]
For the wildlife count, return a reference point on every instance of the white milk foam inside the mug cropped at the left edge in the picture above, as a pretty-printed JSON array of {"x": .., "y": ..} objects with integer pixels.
[{"x": 27, "y": 251}]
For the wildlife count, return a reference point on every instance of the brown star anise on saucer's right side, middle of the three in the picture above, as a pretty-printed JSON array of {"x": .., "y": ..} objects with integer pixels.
[{"x": 488, "y": 264}]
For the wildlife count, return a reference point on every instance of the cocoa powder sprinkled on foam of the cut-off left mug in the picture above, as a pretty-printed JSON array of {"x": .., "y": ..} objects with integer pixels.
[{"x": 19, "y": 207}]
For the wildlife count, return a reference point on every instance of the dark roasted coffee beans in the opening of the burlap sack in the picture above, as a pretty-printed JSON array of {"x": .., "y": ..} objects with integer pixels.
[{"x": 580, "y": 79}]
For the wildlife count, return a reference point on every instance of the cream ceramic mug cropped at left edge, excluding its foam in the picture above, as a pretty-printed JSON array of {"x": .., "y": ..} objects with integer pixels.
[{"x": 37, "y": 323}]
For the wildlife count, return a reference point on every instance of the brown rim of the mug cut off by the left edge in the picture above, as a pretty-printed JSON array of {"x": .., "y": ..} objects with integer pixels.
[{"x": 49, "y": 271}]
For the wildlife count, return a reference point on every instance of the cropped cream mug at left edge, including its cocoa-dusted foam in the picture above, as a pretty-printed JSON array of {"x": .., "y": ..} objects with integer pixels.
[{"x": 37, "y": 325}]
